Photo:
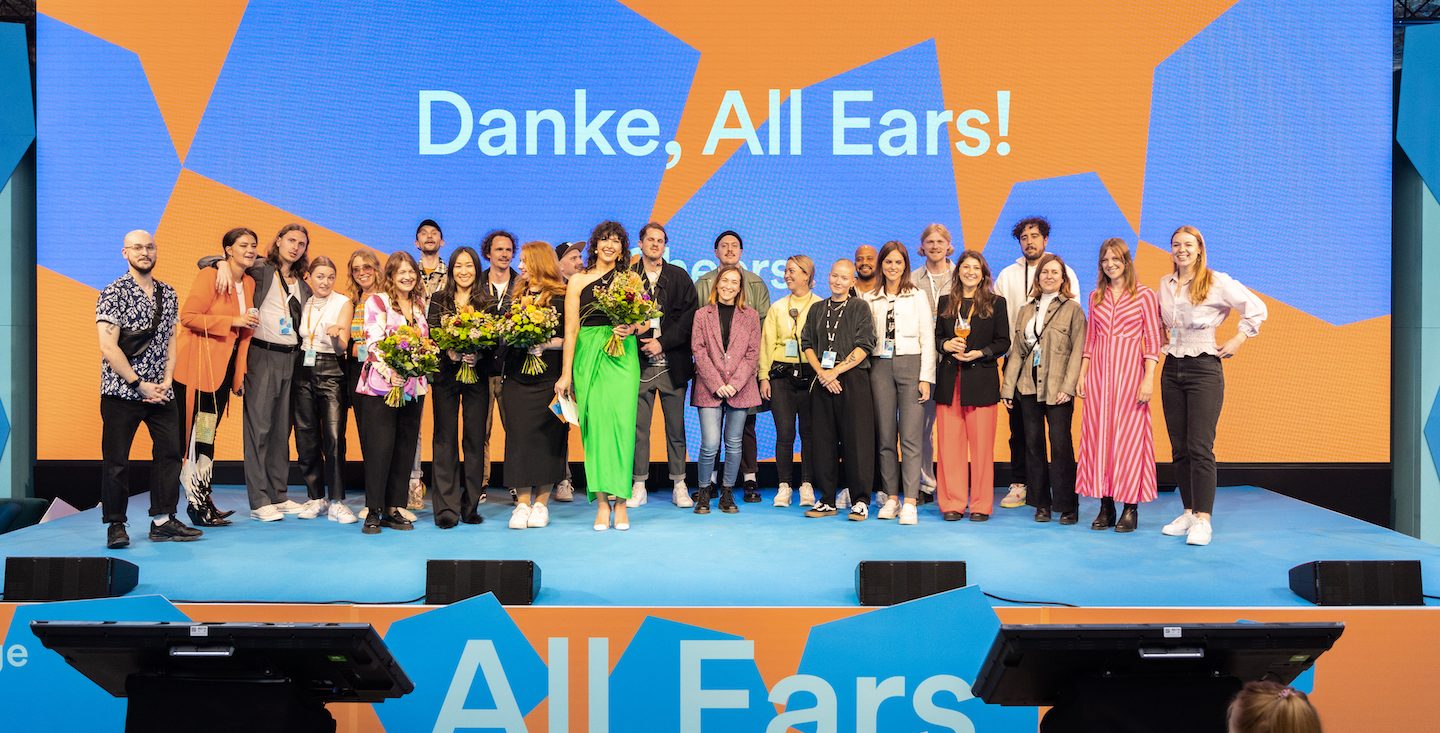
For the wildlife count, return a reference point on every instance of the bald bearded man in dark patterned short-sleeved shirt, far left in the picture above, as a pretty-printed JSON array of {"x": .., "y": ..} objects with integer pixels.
[{"x": 136, "y": 318}]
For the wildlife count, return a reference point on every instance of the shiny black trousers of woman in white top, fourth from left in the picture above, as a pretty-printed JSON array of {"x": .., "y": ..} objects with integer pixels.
[{"x": 320, "y": 423}]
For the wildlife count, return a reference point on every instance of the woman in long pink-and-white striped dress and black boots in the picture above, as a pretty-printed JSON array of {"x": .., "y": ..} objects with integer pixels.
[{"x": 1117, "y": 379}]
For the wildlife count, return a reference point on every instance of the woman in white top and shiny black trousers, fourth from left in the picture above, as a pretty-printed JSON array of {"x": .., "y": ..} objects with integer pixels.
[{"x": 325, "y": 332}]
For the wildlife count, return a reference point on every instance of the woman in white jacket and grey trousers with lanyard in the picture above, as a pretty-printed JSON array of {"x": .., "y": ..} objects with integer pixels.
[{"x": 901, "y": 379}]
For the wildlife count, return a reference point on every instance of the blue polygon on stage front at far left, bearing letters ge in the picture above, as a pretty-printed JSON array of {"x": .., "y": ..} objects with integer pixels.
[{"x": 47, "y": 675}]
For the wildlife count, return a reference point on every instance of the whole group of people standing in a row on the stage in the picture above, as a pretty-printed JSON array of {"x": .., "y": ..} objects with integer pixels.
[{"x": 895, "y": 361}]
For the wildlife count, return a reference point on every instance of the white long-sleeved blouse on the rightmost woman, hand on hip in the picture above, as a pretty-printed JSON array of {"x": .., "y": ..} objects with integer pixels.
[{"x": 1192, "y": 328}]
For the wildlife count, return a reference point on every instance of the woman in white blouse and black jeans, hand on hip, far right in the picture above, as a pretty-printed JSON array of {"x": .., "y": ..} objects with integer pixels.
[{"x": 1194, "y": 300}]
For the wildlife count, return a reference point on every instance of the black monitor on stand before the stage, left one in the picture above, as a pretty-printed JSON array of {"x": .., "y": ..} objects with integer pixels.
[{"x": 220, "y": 678}]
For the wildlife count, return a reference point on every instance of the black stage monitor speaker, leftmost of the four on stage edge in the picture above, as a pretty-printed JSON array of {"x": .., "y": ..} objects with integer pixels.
[{"x": 67, "y": 578}]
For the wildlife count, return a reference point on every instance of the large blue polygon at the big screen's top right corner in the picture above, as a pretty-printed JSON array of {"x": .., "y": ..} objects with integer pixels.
[{"x": 1277, "y": 146}]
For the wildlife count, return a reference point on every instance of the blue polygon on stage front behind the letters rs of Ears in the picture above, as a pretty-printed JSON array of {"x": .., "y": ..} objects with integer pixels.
[{"x": 937, "y": 669}]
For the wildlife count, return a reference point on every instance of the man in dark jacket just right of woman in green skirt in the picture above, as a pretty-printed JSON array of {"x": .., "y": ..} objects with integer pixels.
[{"x": 665, "y": 361}]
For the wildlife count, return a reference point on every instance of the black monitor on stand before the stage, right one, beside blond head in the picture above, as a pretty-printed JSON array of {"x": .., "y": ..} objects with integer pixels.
[{"x": 1174, "y": 678}]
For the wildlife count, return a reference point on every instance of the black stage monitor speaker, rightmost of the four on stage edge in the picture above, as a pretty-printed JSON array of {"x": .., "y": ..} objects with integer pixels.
[{"x": 1359, "y": 583}]
